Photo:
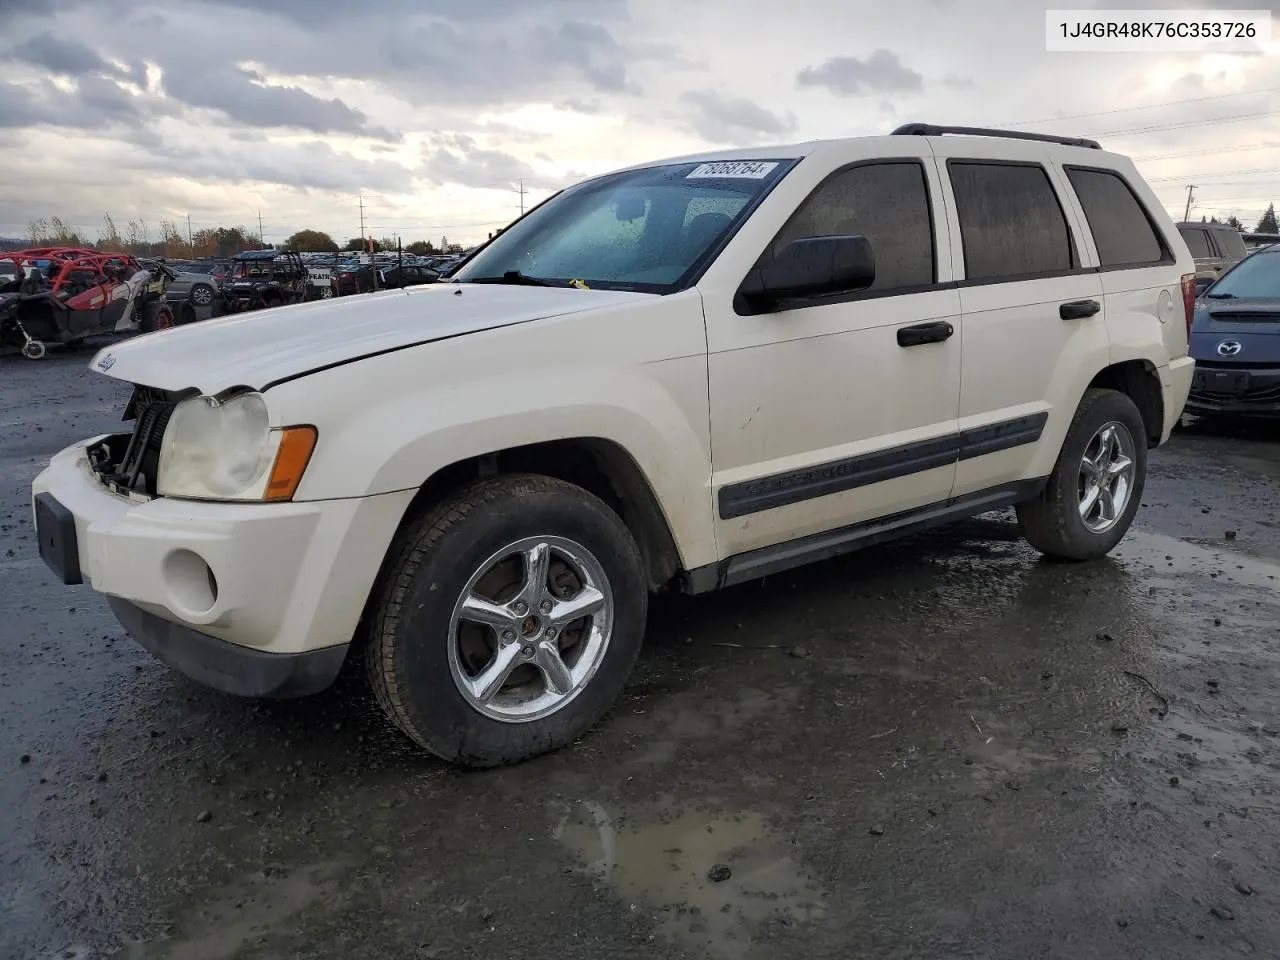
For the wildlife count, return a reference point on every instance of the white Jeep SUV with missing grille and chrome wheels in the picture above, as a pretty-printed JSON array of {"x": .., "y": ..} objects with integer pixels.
[{"x": 685, "y": 374}]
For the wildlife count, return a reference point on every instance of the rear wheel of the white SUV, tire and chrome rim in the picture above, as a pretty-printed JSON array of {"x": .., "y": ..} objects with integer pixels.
[{"x": 1096, "y": 486}]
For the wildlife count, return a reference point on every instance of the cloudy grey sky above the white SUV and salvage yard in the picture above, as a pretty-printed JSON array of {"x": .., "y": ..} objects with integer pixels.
[{"x": 435, "y": 111}]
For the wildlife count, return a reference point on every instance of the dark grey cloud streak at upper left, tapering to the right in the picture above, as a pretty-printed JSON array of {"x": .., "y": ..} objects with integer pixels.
[{"x": 246, "y": 98}]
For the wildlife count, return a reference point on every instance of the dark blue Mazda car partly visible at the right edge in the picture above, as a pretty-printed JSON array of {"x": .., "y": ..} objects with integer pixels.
[{"x": 1236, "y": 341}]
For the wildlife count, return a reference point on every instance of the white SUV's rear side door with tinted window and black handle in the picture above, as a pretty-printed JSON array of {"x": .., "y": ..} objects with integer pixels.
[{"x": 1034, "y": 331}]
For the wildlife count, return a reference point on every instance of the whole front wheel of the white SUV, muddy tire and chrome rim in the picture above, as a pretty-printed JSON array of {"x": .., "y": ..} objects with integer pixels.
[{"x": 506, "y": 621}]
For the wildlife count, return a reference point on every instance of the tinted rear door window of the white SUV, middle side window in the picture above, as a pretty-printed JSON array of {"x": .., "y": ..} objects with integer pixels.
[{"x": 1011, "y": 221}]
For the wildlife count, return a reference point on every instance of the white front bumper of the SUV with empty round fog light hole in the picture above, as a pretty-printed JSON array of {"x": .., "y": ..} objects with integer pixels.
[{"x": 275, "y": 579}]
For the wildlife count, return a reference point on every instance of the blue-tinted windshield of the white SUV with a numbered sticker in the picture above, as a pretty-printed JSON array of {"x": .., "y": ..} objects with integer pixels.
[{"x": 639, "y": 230}]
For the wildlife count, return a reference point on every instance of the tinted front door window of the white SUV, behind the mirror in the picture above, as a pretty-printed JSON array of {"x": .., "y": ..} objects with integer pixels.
[{"x": 889, "y": 204}]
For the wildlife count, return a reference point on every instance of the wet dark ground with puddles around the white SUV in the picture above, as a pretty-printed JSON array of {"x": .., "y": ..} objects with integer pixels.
[{"x": 941, "y": 748}]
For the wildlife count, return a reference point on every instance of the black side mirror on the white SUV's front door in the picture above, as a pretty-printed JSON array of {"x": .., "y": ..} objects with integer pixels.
[{"x": 812, "y": 267}]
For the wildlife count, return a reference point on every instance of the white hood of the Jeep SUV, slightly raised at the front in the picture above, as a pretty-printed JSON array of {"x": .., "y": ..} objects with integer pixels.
[{"x": 263, "y": 348}]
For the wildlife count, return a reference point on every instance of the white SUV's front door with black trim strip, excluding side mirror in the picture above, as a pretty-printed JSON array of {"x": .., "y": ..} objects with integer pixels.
[{"x": 828, "y": 414}]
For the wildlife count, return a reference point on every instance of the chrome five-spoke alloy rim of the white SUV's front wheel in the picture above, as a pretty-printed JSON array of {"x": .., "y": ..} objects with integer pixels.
[{"x": 531, "y": 629}]
